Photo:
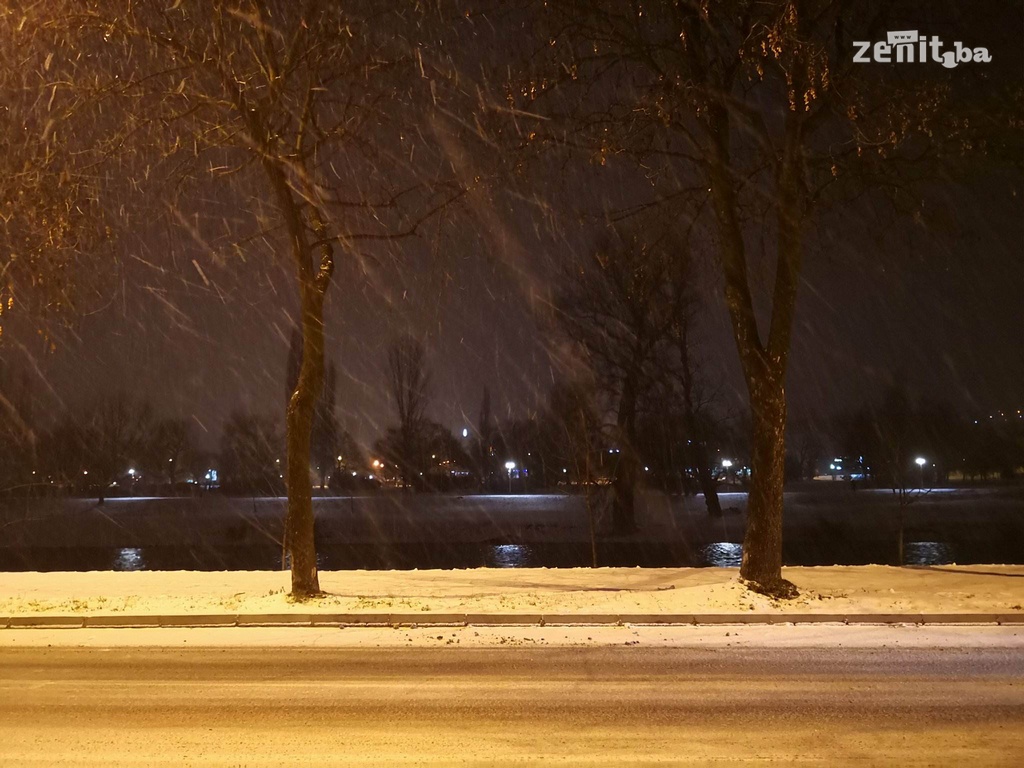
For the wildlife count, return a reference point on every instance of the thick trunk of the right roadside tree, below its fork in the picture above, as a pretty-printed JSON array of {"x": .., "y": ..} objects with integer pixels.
[{"x": 762, "y": 564}]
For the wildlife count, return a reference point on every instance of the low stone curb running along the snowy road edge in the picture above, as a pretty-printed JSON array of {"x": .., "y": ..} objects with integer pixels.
[{"x": 112, "y": 621}]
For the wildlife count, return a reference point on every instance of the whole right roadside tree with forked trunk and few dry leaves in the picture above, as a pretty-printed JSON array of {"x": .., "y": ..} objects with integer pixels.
[{"x": 753, "y": 116}]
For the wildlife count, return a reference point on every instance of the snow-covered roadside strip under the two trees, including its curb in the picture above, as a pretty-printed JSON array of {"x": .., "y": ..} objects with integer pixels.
[{"x": 874, "y": 594}]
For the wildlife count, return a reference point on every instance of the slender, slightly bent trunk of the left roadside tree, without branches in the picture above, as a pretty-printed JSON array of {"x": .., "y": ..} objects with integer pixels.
[{"x": 300, "y": 528}]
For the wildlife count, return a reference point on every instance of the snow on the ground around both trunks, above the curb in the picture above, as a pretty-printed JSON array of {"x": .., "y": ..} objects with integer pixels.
[{"x": 873, "y": 589}]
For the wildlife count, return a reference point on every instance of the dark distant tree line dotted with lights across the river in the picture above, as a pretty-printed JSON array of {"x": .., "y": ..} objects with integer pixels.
[{"x": 117, "y": 446}]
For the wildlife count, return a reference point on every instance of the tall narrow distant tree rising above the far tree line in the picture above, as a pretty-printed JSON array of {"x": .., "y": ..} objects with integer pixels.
[{"x": 409, "y": 385}]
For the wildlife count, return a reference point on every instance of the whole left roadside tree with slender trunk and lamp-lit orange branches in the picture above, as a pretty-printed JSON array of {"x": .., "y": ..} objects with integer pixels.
[{"x": 290, "y": 109}]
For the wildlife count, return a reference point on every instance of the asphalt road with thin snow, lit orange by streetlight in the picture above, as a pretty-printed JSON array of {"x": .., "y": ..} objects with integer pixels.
[{"x": 592, "y": 706}]
